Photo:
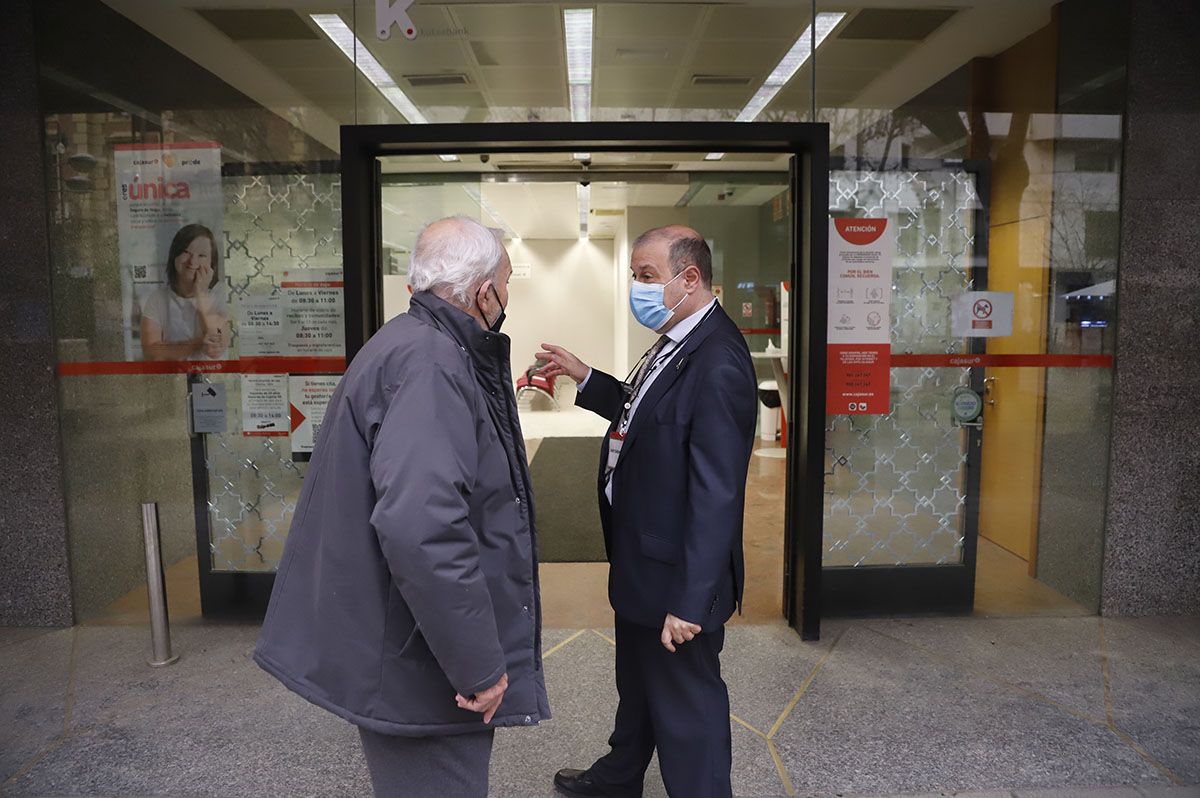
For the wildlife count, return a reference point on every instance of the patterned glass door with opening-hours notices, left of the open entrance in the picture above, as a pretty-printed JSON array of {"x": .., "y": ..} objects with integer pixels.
[{"x": 281, "y": 277}]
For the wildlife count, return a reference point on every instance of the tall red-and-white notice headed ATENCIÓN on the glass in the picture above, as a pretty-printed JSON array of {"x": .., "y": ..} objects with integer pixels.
[{"x": 860, "y": 327}]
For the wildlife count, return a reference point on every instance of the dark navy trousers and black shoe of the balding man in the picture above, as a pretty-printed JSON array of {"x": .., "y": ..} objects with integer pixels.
[{"x": 677, "y": 704}]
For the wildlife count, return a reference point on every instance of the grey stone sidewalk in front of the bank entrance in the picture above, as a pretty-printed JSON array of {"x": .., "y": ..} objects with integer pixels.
[{"x": 989, "y": 707}]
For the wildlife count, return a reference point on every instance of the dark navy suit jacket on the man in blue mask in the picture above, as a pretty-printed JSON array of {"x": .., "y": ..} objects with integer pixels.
[{"x": 674, "y": 533}]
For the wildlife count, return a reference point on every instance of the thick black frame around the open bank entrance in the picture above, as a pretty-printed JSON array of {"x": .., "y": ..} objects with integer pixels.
[{"x": 809, "y": 147}]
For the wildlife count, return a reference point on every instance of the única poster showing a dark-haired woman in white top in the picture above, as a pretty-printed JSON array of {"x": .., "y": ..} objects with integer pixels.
[{"x": 170, "y": 212}]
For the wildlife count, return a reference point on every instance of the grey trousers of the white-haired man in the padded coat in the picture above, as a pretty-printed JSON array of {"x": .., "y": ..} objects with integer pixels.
[{"x": 454, "y": 766}]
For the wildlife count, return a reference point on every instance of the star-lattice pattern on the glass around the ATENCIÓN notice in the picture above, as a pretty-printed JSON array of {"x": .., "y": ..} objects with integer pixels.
[{"x": 896, "y": 485}]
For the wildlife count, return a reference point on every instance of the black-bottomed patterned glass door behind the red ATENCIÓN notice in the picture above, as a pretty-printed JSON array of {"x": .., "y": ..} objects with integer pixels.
[{"x": 903, "y": 489}]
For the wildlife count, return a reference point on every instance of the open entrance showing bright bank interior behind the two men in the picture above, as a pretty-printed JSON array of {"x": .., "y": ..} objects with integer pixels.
[{"x": 568, "y": 230}]
